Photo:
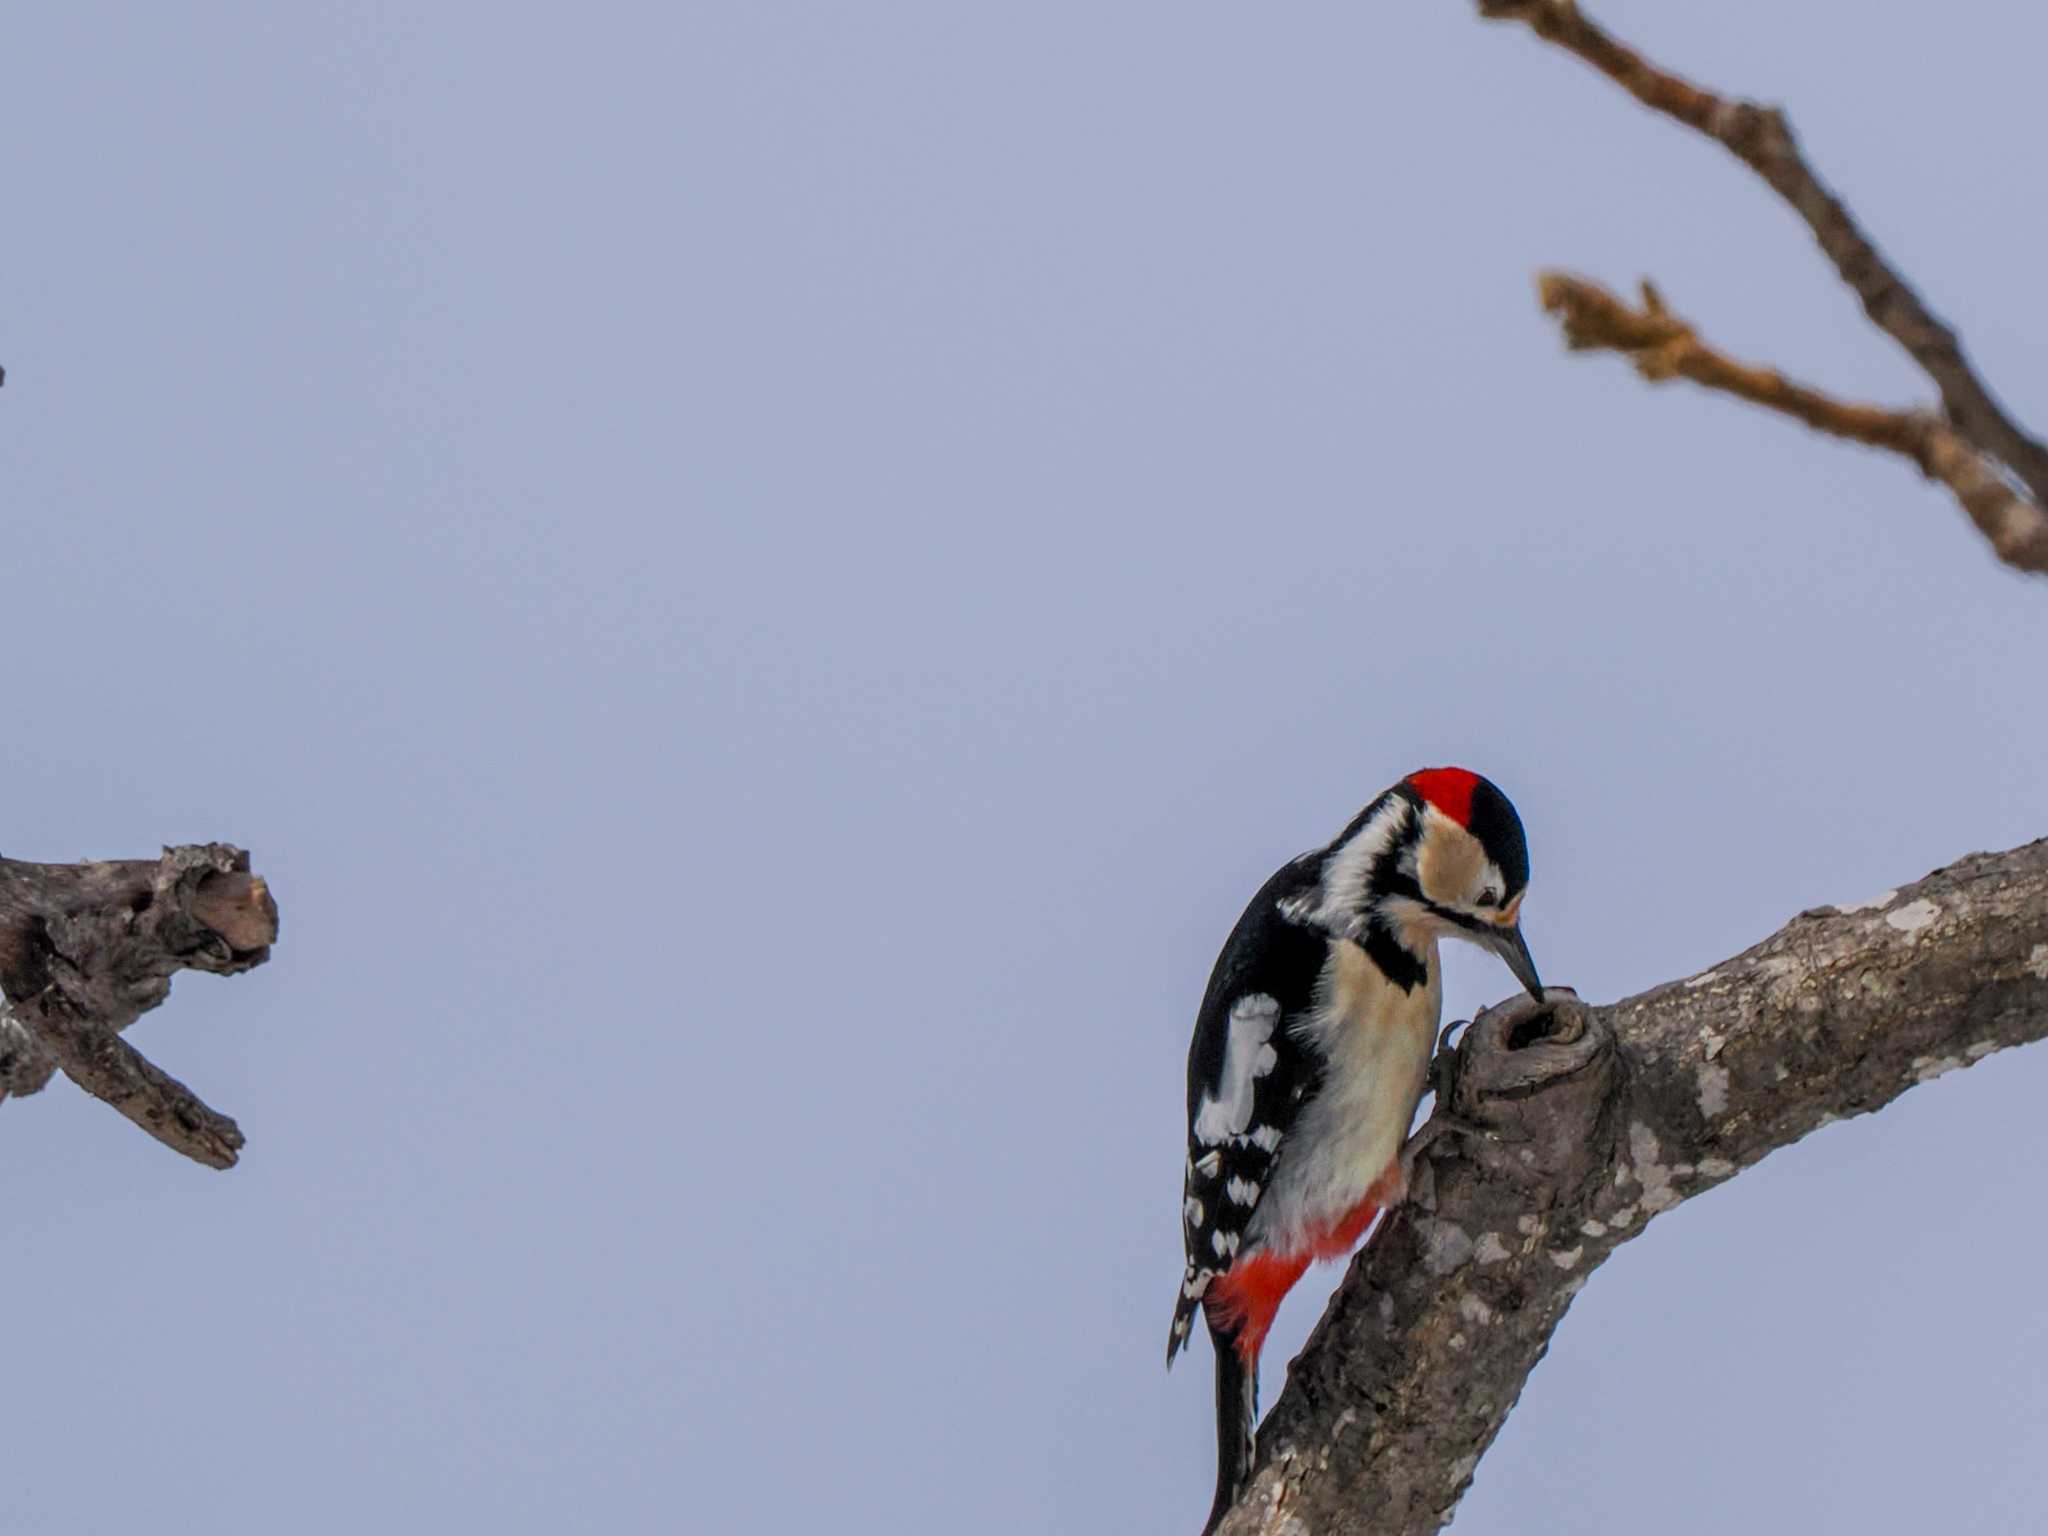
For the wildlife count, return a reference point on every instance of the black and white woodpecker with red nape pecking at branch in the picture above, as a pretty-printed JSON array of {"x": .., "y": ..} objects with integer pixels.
[{"x": 1312, "y": 1052}]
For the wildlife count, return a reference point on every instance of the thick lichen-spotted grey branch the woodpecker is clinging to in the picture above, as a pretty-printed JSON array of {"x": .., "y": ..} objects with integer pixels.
[{"x": 1586, "y": 1123}]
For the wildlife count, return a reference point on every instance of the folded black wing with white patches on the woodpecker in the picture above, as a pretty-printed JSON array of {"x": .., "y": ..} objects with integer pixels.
[{"x": 1248, "y": 1078}]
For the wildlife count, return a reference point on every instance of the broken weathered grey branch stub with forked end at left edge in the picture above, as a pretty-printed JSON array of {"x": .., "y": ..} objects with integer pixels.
[{"x": 89, "y": 949}]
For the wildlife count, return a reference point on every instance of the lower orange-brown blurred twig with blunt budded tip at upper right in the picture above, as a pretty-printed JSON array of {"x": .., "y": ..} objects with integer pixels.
[{"x": 1664, "y": 347}]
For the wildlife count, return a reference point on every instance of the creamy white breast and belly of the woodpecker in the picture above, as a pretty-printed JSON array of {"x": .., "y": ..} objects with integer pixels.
[{"x": 1375, "y": 1041}]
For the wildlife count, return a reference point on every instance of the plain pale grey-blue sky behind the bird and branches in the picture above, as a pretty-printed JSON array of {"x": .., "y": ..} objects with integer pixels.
[{"x": 767, "y": 579}]
